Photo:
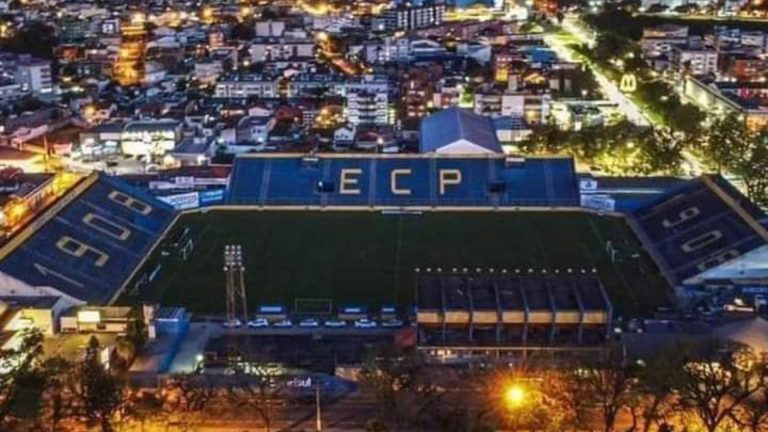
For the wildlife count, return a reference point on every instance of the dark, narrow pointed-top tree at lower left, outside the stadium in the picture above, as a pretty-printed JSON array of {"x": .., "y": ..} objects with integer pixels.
[{"x": 100, "y": 393}]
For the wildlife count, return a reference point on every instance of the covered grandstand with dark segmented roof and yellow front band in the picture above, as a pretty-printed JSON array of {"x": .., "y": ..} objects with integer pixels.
[{"x": 464, "y": 313}]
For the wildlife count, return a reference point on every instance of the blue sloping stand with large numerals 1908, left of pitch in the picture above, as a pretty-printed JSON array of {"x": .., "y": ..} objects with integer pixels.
[{"x": 88, "y": 244}]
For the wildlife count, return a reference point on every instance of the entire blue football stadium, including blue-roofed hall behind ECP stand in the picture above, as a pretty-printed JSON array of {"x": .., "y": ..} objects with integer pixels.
[{"x": 470, "y": 239}]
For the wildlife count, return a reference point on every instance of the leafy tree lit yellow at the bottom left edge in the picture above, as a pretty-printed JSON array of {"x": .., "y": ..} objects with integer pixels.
[{"x": 16, "y": 364}]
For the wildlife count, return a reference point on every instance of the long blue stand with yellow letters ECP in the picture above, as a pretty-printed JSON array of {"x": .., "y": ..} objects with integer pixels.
[{"x": 491, "y": 180}]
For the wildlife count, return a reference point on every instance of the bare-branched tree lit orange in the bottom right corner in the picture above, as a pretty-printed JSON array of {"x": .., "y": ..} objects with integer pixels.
[{"x": 715, "y": 384}]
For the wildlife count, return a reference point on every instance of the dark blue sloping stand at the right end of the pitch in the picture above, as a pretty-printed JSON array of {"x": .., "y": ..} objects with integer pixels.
[{"x": 697, "y": 226}]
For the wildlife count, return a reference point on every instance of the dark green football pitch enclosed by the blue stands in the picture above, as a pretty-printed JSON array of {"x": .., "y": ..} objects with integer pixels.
[{"x": 369, "y": 258}]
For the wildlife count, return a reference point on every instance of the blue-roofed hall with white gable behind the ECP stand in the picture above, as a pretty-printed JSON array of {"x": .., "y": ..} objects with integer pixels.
[{"x": 448, "y": 129}]
